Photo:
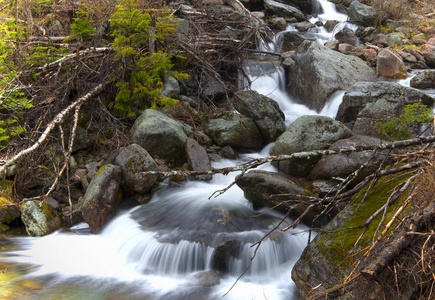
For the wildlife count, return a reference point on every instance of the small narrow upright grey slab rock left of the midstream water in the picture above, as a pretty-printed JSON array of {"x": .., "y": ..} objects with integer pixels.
[{"x": 197, "y": 158}]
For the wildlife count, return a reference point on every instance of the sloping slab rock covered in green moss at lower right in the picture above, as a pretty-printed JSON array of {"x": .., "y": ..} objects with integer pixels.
[{"x": 330, "y": 257}]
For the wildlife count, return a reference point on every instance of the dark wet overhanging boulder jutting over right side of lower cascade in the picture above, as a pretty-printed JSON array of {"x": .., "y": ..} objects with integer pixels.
[{"x": 278, "y": 191}]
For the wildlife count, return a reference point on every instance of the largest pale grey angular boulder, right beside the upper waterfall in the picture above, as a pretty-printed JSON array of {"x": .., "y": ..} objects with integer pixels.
[{"x": 317, "y": 72}]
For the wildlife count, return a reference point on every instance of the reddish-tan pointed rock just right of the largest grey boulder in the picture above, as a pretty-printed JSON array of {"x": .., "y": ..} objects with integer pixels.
[{"x": 390, "y": 65}]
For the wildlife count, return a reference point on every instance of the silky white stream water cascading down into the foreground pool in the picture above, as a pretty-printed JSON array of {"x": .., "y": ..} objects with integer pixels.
[{"x": 165, "y": 249}]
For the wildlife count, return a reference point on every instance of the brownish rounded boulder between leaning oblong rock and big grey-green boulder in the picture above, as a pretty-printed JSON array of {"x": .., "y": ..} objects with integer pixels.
[{"x": 133, "y": 161}]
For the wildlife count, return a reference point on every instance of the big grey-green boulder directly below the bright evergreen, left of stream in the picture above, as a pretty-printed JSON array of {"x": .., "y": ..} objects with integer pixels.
[{"x": 160, "y": 135}]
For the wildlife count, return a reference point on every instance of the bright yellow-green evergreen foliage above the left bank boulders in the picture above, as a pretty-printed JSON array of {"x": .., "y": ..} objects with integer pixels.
[{"x": 133, "y": 29}]
